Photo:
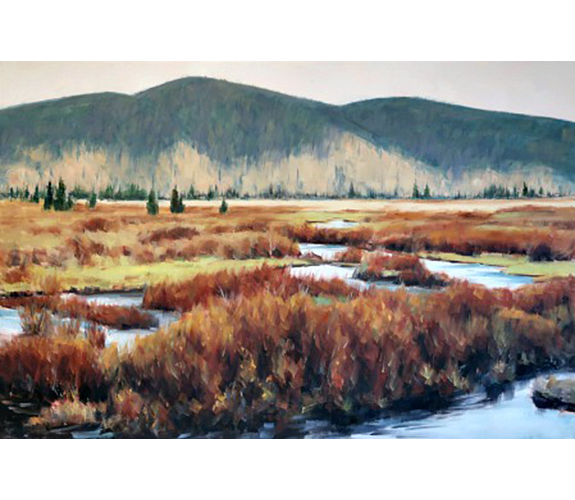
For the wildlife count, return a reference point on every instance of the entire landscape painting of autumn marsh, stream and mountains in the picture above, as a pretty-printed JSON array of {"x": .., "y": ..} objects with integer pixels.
[{"x": 287, "y": 250}]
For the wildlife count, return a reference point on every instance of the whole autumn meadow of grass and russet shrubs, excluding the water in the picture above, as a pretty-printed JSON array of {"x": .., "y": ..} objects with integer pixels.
[{"x": 254, "y": 343}]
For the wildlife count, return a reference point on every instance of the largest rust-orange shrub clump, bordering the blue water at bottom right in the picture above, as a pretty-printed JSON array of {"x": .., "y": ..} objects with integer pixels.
[{"x": 239, "y": 363}]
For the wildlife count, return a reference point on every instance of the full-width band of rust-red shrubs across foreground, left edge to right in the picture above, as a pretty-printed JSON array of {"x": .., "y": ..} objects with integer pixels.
[{"x": 265, "y": 353}]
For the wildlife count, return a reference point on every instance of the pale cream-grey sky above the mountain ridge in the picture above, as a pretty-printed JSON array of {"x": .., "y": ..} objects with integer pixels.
[{"x": 534, "y": 88}]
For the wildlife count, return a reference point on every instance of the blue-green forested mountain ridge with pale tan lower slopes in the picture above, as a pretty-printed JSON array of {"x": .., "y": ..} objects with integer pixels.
[{"x": 205, "y": 132}]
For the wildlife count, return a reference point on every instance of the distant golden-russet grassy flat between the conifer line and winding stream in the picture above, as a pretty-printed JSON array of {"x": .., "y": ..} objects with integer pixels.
[{"x": 118, "y": 245}]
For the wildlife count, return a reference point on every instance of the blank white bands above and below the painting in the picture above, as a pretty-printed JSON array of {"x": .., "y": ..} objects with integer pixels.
[{"x": 295, "y": 30}]
